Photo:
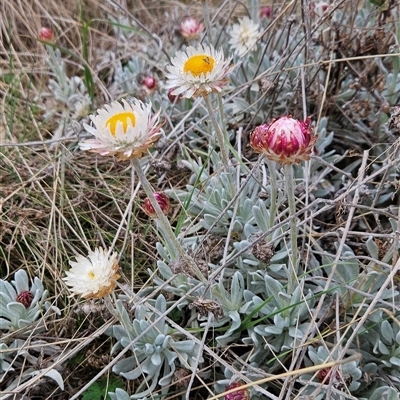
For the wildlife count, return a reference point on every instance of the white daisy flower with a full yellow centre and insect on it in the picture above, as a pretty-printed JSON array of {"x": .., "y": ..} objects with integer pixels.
[{"x": 197, "y": 71}]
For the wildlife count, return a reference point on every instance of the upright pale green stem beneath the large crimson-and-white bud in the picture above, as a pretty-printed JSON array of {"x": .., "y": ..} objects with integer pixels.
[{"x": 289, "y": 181}]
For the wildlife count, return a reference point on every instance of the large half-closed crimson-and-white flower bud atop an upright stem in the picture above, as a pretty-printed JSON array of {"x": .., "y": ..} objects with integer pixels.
[{"x": 286, "y": 140}]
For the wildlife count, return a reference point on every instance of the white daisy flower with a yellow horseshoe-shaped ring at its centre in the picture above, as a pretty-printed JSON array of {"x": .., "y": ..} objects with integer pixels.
[{"x": 125, "y": 130}]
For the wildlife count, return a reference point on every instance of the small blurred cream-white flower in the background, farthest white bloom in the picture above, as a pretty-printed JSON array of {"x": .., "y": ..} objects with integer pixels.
[{"x": 244, "y": 36}]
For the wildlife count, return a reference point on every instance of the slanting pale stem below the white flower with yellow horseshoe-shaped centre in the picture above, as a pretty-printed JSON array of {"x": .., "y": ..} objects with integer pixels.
[{"x": 169, "y": 236}]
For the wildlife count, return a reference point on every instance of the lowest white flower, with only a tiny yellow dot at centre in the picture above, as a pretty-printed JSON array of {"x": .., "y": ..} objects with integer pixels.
[{"x": 93, "y": 276}]
